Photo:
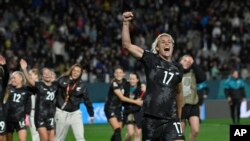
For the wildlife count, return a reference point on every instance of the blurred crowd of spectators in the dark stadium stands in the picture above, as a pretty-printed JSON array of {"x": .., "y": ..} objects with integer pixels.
[{"x": 59, "y": 33}]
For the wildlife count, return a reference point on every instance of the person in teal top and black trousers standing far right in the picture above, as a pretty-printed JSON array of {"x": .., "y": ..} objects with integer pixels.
[{"x": 235, "y": 93}]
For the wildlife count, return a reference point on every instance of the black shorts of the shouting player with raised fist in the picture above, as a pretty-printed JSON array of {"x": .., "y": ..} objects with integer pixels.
[{"x": 157, "y": 129}]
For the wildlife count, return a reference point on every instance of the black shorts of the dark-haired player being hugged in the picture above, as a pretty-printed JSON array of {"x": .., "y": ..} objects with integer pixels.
[{"x": 133, "y": 118}]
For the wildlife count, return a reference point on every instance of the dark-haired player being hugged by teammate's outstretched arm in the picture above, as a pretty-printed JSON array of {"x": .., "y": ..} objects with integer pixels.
[{"x": 132, "y": 113}]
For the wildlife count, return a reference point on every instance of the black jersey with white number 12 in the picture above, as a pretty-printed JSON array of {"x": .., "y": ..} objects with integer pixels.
[{"x": 17, "y": 103}]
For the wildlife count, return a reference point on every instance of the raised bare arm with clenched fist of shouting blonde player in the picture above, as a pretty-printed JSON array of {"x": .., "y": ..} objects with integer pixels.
[{"x": 136, "y": 51}]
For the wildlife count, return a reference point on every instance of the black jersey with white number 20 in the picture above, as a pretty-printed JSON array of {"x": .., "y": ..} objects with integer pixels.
[{"x": 45, "y": 100}]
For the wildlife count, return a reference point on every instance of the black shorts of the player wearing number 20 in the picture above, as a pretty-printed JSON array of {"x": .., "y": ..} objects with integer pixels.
[{"x": 48, "y": 123}]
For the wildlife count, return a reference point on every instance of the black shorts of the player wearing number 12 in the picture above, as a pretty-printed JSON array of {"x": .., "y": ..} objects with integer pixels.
[{"x": 15, "y": 125}]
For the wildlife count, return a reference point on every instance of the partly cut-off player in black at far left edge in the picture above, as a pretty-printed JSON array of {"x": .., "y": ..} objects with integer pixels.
[{"x": 4, "y": 77}]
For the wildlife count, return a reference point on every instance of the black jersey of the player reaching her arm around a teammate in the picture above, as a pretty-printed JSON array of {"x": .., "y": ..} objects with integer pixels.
[{"x": 112, "y": 101}]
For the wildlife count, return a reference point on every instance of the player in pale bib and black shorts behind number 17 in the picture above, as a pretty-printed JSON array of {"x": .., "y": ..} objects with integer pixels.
[{"x": 192, "y": 75}]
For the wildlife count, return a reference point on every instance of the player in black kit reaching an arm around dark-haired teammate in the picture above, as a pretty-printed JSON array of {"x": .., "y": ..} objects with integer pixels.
[{"x": 113, "y": 104}]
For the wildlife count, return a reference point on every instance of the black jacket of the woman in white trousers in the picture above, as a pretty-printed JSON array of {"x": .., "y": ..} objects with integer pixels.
[{"x": 77, "y": 92}]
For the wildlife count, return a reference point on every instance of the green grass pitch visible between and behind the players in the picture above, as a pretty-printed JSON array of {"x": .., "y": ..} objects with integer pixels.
[{"x": 210, "y": 130}]
